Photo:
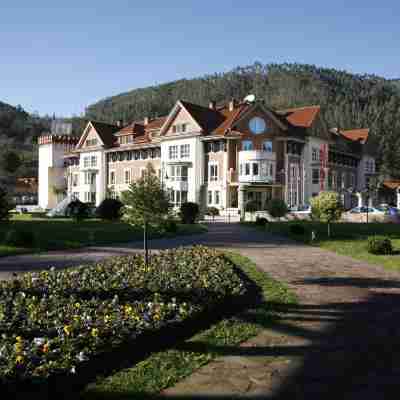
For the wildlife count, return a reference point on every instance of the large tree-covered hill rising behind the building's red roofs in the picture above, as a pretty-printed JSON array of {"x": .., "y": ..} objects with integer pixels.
[{"x": 347, "y": 100}]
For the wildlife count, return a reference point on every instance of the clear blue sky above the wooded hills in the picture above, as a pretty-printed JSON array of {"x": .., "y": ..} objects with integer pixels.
[{"x": 62, "y": 56}]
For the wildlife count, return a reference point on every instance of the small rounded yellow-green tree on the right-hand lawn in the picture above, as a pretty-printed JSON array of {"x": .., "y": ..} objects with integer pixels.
[{"x": 327, "y": 207}]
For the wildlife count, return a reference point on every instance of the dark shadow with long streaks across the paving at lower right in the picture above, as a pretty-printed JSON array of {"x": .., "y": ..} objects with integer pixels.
[{"x": 352, "y": 348}]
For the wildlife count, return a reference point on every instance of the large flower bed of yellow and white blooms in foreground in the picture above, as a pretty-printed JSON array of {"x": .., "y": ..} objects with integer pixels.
[{"x": 54, "y": 322}]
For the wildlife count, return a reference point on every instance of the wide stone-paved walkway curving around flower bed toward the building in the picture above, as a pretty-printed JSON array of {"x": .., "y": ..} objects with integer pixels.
[{"x": 342, "y": 339}]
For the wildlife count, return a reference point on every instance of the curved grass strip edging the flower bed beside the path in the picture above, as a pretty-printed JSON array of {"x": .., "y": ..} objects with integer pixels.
[{"x": 165, "y": 368}]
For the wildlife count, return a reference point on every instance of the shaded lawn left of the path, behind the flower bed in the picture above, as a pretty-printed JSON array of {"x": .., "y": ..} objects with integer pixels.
[{"x": 57, "y": 233}]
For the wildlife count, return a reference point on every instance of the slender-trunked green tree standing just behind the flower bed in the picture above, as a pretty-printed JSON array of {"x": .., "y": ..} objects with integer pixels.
[{"x": 146, "y": 202}]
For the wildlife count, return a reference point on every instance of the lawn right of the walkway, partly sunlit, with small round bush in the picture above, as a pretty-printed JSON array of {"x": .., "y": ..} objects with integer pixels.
[{"x": 349, "y": 239}]
